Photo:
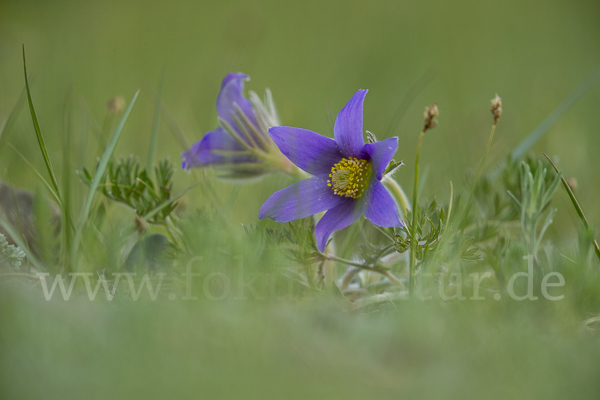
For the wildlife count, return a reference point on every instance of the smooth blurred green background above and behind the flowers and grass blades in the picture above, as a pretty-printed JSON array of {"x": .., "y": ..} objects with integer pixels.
[{"x": 314, "y": 55}]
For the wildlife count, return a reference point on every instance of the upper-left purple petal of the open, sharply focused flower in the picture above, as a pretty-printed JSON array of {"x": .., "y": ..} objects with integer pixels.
[{"x": 314, "y": 153}]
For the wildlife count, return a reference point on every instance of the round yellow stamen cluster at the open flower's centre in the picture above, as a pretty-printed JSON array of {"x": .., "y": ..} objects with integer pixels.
[{"x": 350, "y": 177}]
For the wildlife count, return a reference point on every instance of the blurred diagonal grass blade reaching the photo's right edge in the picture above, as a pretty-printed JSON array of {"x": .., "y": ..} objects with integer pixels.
[{"x": 555, "y": 115}]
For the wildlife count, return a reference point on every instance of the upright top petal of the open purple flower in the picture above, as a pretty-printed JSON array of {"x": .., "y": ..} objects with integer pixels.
[{"x": 348, "y": 127}]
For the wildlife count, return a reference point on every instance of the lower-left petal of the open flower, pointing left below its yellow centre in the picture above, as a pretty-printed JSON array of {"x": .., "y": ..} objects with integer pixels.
[{"x": 300, "y": 200}]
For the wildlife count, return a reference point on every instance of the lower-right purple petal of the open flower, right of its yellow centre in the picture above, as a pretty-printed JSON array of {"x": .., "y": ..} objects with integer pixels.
[{"x": 379, "y": 206}]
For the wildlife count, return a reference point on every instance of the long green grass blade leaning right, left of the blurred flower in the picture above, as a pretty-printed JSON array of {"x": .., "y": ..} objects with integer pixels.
[{"x": 98, "y": 176}]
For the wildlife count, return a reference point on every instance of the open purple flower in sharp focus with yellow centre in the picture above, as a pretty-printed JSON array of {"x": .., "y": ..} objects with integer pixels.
[{"x": 347, "y": 175}]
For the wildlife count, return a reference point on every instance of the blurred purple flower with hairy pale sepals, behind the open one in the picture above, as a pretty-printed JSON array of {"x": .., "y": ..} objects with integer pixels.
[{"x": 240, "y": 146}]
